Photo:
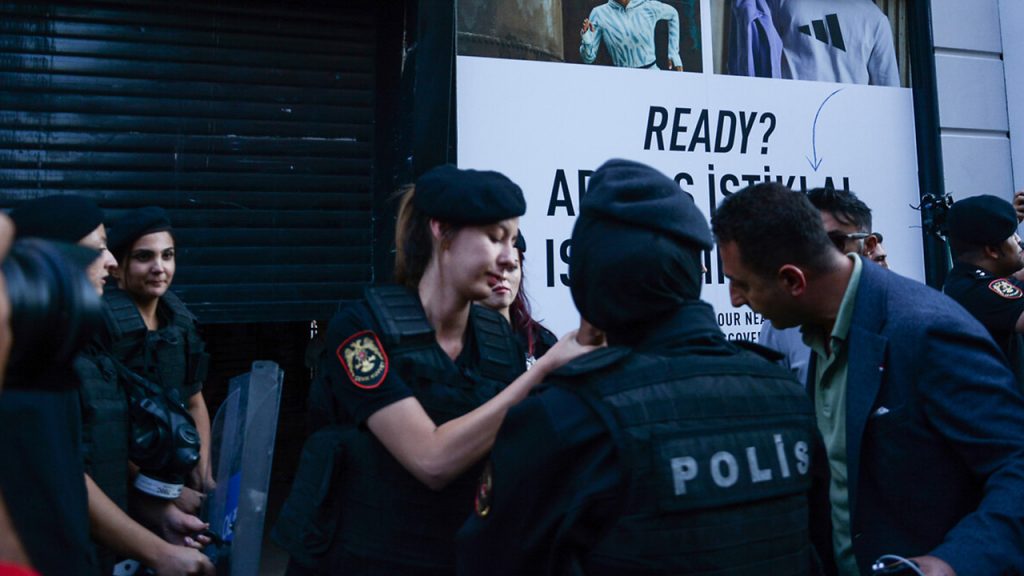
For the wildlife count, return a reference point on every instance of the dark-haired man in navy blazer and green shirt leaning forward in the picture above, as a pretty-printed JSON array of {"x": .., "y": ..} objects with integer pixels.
[{"x": 923, "y": 425}]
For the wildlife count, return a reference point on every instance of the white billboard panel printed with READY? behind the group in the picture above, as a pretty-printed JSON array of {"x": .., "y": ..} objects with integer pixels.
[{"x": 548, "y": 126}]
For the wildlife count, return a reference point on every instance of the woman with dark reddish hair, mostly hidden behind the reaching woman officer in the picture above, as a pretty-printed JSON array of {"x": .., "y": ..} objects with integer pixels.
[{"x": 509, "y": 300}]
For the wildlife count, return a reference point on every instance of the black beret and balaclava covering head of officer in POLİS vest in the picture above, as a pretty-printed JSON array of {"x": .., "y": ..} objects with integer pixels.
[{"x": 636, "y": 248}]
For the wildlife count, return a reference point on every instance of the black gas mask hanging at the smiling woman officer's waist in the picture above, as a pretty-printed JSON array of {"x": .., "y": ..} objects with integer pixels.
[{"x": 163, "y": 439}]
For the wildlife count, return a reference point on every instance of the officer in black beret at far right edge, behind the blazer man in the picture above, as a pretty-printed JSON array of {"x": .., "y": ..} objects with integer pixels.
[{"x": 988, "y": 277}]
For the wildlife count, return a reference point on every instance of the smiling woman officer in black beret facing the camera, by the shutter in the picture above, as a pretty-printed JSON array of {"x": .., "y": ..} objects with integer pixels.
[{"x": 155, "y": 336}]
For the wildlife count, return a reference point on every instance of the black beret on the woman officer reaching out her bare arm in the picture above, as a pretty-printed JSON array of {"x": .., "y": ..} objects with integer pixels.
[{"x": 468, "y": 197}]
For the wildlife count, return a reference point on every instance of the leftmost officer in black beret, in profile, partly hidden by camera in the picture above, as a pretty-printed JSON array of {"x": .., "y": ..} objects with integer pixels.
[{"x": 104, "y": 428}]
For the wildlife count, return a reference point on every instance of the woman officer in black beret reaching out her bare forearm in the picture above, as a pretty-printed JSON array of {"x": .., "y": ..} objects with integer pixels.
[{"x": 420, "y": 380}]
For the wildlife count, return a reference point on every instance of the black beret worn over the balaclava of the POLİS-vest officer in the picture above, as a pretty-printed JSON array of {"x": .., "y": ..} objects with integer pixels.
[{"x": 638, "y": 195}]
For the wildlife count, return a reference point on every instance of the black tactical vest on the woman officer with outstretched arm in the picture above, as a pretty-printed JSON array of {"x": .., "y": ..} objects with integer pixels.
[{"x": 388, "y": 515}]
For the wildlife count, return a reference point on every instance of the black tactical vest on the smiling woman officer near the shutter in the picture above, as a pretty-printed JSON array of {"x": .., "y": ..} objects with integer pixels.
[{"x": 175, "y": 356}]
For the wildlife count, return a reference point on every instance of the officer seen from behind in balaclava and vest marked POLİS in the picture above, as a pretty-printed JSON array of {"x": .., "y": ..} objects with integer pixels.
[{"x": 672, "y": 451}]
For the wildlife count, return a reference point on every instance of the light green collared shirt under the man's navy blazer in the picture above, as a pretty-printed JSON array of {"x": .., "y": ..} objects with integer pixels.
[{"x": 830, "y": 406}]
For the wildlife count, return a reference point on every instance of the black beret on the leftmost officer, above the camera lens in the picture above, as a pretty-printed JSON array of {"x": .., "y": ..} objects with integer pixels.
[{"x": 65, "y": 219}]
